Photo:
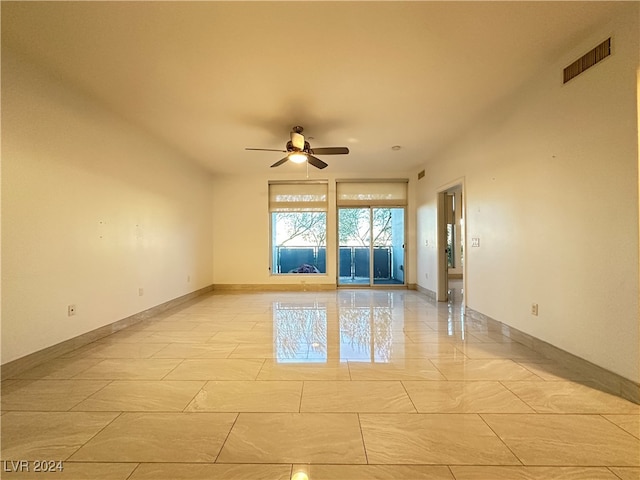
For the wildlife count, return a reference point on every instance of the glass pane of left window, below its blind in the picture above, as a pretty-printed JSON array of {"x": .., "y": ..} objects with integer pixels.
[{"x": 299, "y": 242}]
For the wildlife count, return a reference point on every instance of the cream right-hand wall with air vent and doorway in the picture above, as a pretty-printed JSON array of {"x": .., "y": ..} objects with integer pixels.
[{"x": 551, "y": 179}]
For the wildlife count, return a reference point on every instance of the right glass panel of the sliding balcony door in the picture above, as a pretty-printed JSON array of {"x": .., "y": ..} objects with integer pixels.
[{"x": 388, "y": 245}]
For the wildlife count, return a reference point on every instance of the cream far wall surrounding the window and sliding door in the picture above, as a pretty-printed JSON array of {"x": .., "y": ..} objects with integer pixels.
[{"x": 241, "y": 222}]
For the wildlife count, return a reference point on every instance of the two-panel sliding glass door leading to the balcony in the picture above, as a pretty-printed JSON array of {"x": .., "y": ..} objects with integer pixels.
[{"x": 371, "y": 246}]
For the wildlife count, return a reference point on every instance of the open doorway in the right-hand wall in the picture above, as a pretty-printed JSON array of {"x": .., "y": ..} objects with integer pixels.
[{"x": 451, "y": 243}]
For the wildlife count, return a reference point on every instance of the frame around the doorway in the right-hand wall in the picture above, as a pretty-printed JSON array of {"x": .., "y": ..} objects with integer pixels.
[{"x": 442, "y": 290}]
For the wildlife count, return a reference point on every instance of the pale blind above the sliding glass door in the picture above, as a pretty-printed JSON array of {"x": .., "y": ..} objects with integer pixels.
[{"x": 371, "y": 193}]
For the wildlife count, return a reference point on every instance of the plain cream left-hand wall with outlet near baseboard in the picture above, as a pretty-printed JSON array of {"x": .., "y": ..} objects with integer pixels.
[{"x": 92, "y": 210}]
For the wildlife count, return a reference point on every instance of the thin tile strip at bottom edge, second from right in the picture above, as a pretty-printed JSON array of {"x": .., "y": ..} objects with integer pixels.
[{"x": 532, "y": 473}]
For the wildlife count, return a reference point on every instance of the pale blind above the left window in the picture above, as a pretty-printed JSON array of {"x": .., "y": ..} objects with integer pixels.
[{"x": 297, "y": 197}]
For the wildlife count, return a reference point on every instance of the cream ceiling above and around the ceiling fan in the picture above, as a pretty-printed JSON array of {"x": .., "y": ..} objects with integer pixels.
[{"x": 211, "y": 78}]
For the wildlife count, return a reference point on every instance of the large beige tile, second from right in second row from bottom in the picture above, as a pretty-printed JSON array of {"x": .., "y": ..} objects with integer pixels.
[{"x": 586, "y": 440}]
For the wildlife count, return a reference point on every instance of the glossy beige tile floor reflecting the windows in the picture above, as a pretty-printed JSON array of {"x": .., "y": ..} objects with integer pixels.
[{"x": 352, "y": 384}]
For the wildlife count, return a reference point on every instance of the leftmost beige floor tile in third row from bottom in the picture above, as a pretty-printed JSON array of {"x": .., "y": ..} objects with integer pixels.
[{"x": 48, "y": 395}]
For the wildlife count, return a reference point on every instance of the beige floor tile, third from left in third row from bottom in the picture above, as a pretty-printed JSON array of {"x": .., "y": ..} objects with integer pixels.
[{"x": 248, "y": 396}]
